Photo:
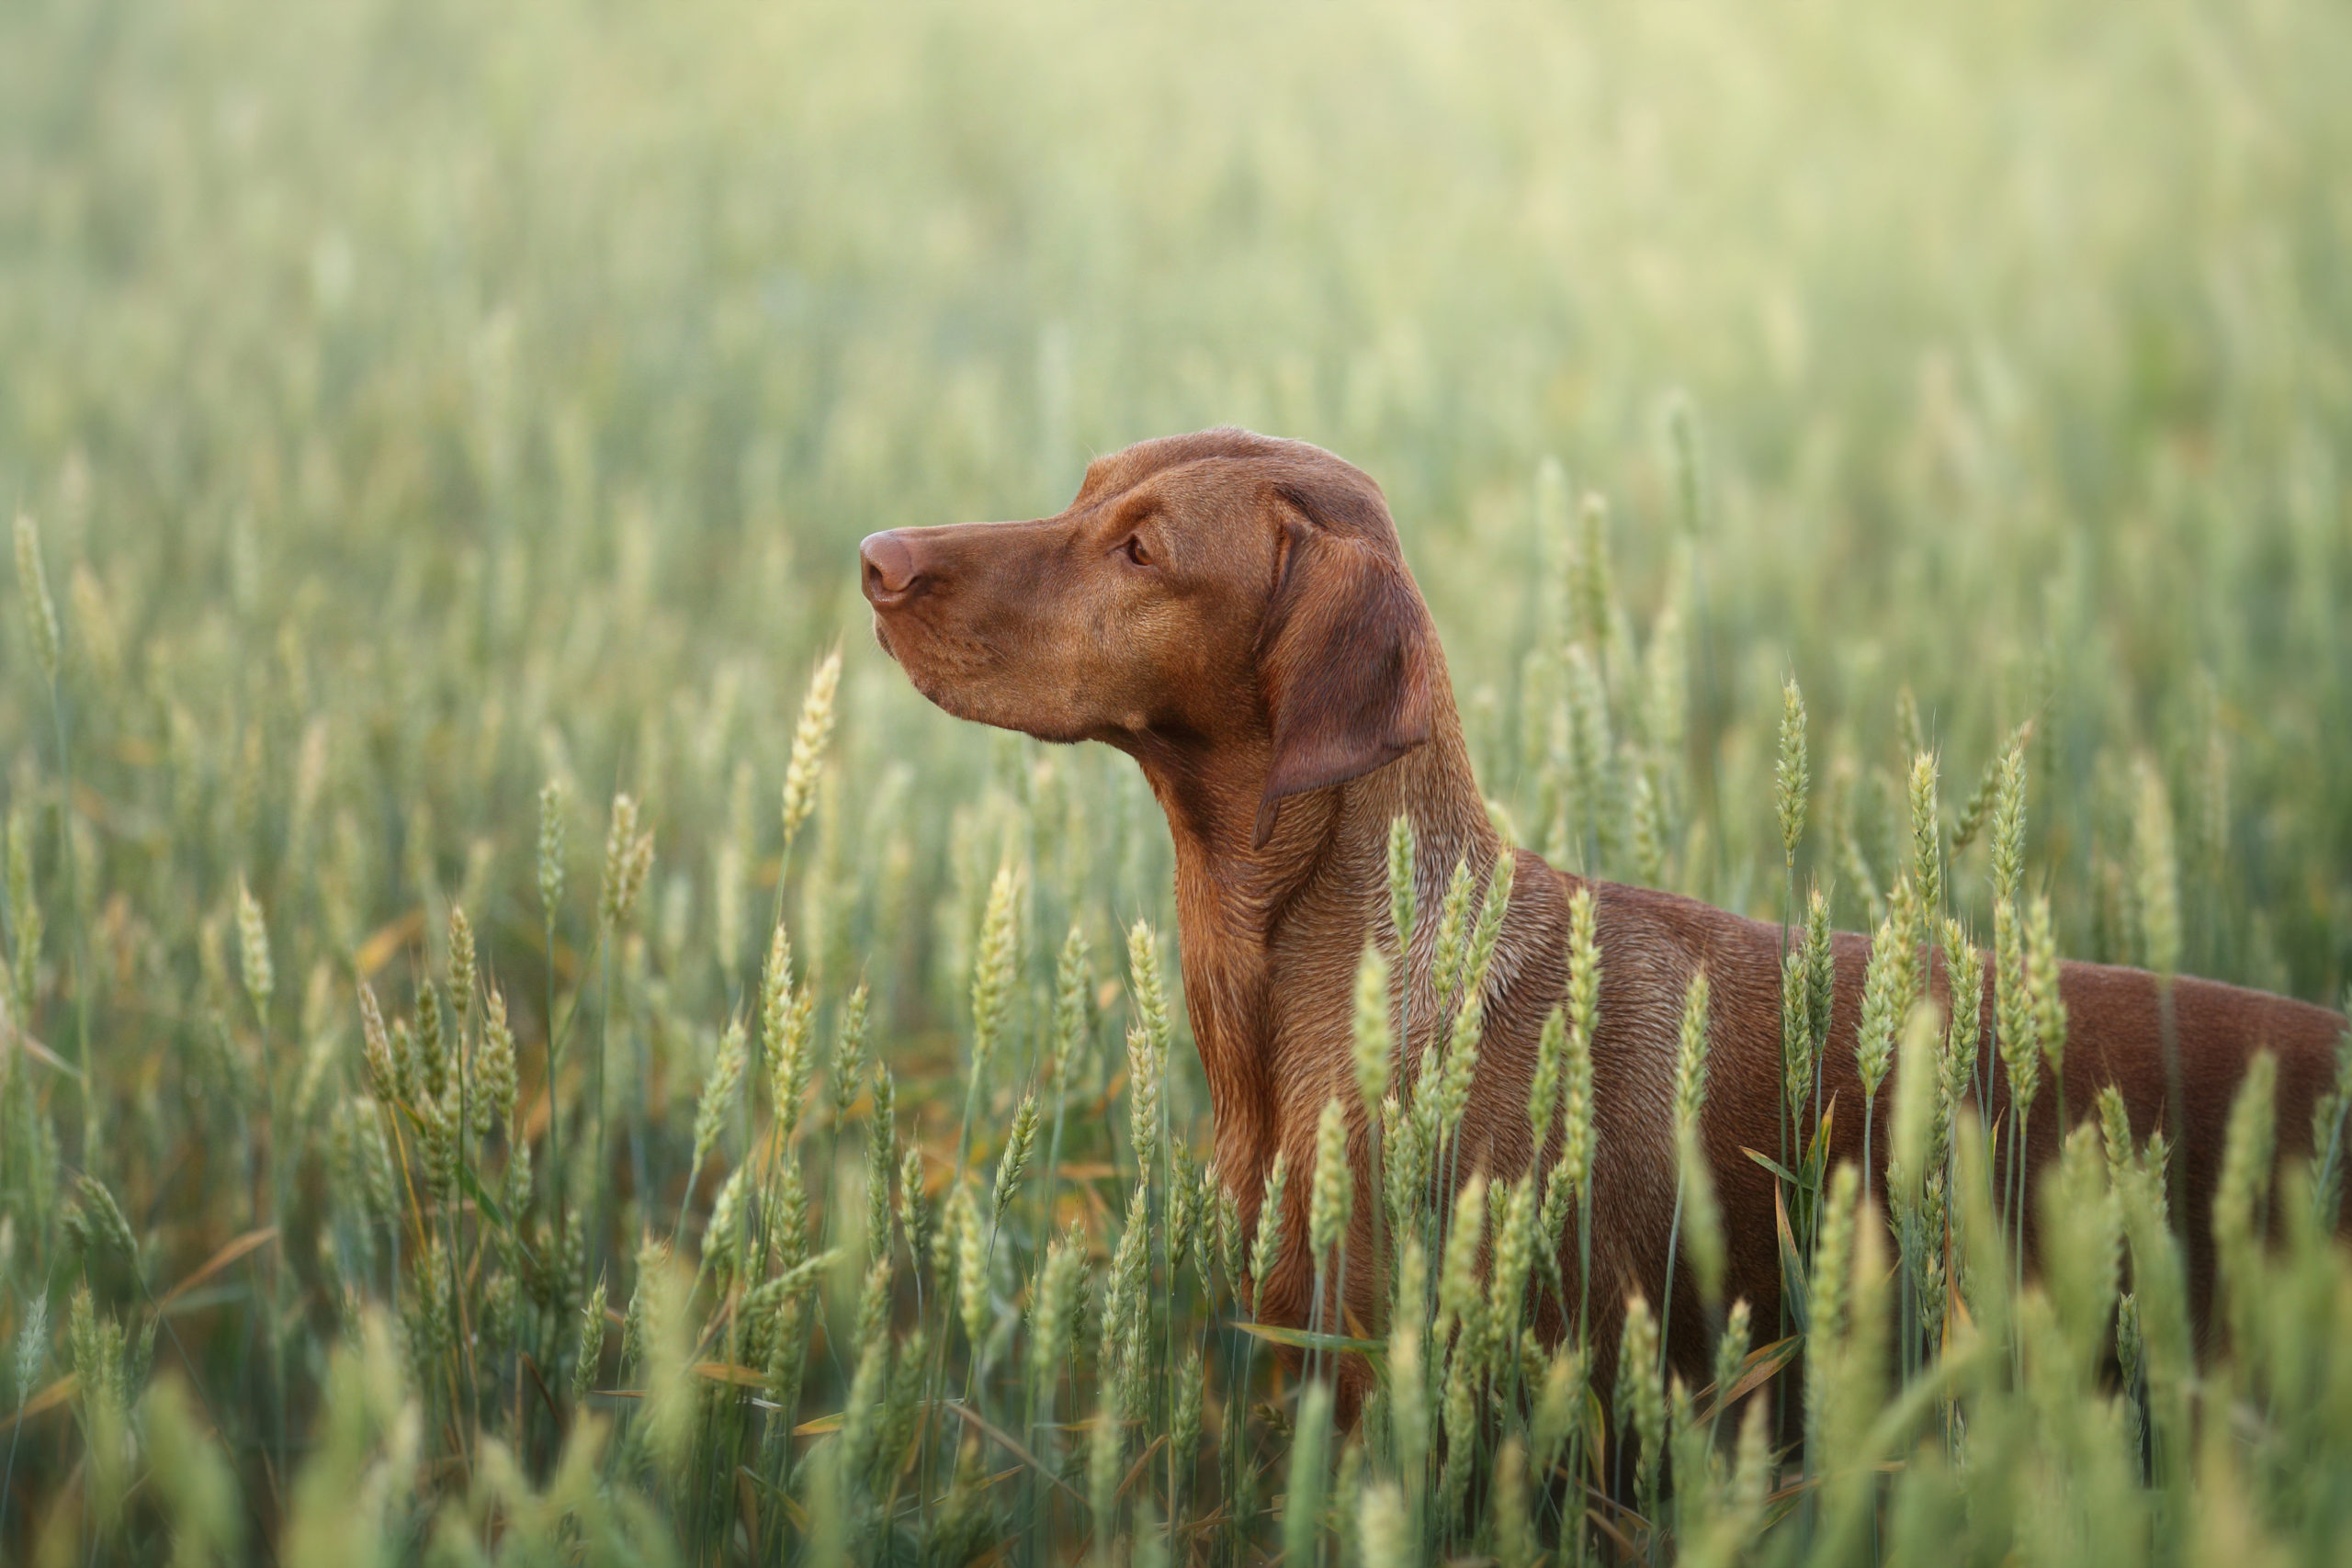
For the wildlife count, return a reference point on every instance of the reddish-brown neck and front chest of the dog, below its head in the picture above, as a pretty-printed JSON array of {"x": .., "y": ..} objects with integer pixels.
[{"x": 1271, "y": 932}]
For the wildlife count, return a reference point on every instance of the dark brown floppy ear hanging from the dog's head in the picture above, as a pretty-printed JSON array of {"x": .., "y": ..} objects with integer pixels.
[{"x": 1347, "y": 659}]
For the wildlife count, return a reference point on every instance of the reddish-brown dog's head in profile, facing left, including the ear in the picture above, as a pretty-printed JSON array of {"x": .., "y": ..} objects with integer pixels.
[{"x": 1222, "y": 598}]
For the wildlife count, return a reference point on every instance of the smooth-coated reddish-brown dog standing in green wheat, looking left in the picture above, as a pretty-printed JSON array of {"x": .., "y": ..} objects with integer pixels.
[{"x": 1236, "y": 615}]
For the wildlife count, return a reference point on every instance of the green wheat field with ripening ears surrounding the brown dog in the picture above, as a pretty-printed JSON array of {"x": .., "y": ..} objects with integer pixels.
[{"x": 528, "y": 1043}]
